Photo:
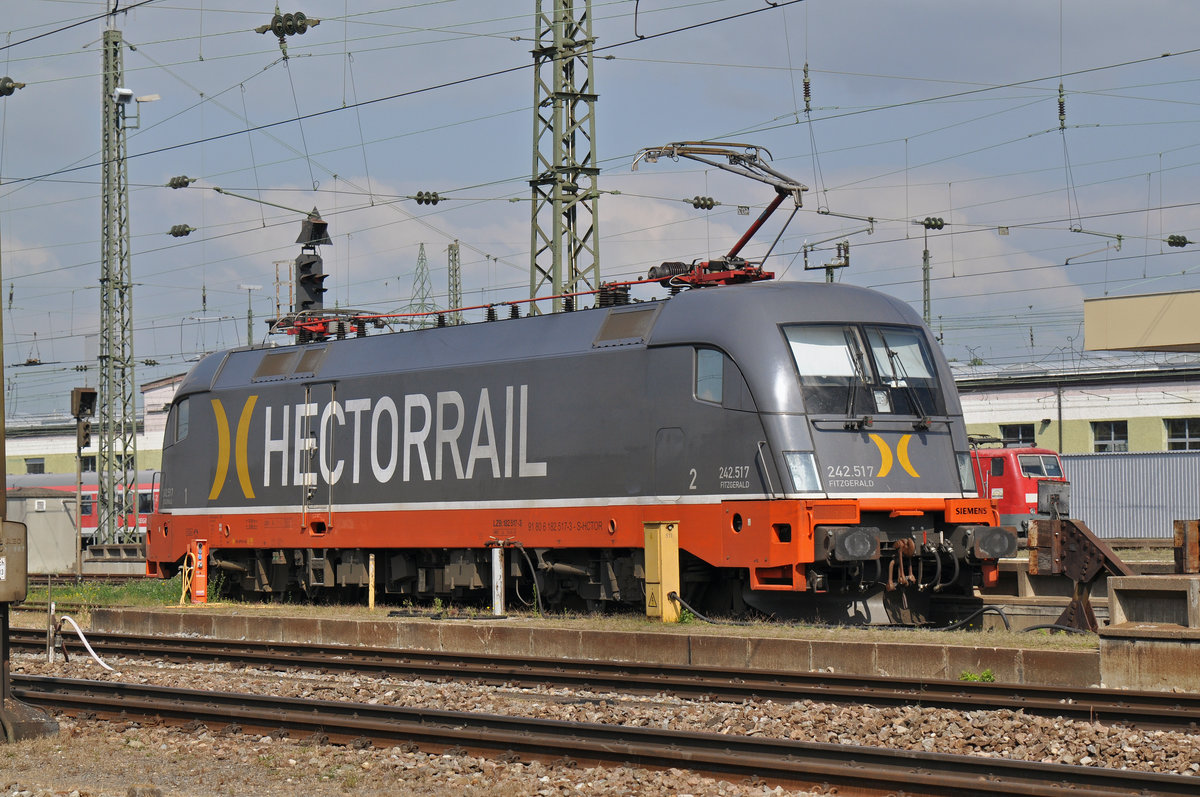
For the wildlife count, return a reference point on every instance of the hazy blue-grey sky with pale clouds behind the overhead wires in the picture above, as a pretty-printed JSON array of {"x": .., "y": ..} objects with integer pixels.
[{"x": 917, "y": 110}]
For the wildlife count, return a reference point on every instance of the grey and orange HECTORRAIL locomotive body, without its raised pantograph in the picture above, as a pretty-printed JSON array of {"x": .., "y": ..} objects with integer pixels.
[{"x": 807, "y": 438}]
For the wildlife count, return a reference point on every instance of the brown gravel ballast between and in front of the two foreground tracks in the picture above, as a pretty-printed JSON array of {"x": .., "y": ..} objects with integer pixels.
[{"x": 93, "y": 758}]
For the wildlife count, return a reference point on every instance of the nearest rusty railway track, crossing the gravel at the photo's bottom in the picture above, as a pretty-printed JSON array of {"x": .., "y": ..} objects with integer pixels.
[{"x": 860, "y": 770}]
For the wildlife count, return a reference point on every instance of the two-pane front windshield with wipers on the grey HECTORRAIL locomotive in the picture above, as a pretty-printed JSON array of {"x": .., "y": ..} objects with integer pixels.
[{"x": 866, "y": 370}]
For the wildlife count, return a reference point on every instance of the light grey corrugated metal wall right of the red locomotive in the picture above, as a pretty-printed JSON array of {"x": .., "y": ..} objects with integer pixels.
[{"x": 1135, "y": 495}]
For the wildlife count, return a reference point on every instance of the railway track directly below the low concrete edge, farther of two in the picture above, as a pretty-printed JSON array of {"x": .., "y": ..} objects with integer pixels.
[{"x": 1143, "y": 709}]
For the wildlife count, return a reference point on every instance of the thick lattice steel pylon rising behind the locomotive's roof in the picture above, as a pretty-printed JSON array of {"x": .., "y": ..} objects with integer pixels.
[{"x": 565, "y": 249}]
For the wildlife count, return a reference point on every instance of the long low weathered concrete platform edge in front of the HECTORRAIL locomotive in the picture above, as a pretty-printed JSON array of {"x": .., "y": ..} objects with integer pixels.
[{"x": 853, "y": 657}]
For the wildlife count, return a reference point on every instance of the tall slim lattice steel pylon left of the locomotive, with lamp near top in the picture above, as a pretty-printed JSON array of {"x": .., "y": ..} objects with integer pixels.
[{"x": 117, "y": 412}]
